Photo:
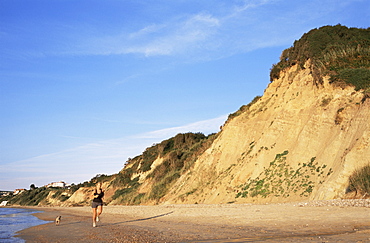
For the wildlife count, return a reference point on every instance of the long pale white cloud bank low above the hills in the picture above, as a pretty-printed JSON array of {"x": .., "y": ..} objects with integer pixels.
[{"x": 82, "y": 163}]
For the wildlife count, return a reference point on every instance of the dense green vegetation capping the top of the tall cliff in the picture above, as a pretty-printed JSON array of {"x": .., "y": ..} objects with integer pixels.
[{"x": 340, "y": 52}]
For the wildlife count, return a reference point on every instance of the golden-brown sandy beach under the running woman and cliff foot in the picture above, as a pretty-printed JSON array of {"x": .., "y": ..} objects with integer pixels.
[{"x": 329, "y": 221}]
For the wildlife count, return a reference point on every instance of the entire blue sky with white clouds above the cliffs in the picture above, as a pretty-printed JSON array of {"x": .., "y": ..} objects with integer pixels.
[{"x": 84, "y": 85}]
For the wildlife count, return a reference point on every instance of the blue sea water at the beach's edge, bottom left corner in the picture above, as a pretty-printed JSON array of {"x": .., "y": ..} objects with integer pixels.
[{"x": 13, "y": 220}]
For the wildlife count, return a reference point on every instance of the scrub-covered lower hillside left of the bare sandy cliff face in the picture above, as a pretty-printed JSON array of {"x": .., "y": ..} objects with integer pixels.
[{"x": 177, "y": 156}]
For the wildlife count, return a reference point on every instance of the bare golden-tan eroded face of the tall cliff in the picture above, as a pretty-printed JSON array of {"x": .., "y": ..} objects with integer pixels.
[{"x": 301, "y": 140}]
